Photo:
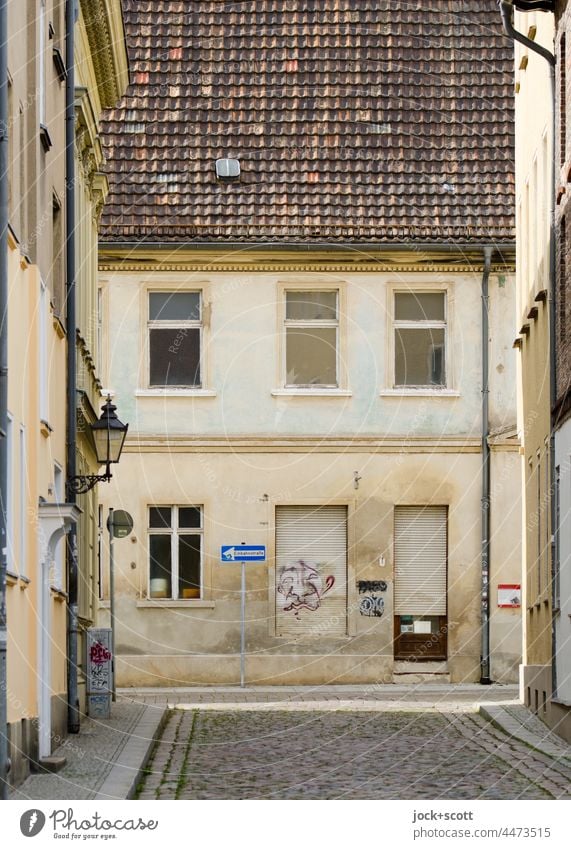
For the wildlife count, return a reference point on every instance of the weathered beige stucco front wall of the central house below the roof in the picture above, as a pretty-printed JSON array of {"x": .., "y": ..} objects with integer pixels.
[{"x": 244, "y": 441}]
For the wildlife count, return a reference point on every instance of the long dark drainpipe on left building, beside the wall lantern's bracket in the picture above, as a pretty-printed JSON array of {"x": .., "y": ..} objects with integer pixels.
[{"x": 73, "y": 720}]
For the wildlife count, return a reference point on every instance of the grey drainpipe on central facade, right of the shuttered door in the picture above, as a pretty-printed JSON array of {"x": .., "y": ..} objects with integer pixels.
[{"x": 485, "y": 509}]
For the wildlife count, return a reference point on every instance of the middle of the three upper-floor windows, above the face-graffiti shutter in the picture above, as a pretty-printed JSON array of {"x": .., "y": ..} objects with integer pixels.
[{"x": 311, "y": 339}]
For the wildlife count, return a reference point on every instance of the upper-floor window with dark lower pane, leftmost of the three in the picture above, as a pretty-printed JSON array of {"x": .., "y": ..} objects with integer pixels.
[{"x": 175, "y": 331}]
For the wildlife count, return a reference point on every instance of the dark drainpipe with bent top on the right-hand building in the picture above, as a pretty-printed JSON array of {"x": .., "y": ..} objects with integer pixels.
[{"x": 506, "y": 10}]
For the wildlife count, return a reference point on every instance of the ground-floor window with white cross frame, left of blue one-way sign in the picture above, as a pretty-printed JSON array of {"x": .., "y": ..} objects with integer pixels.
[{"x": 175, "y": 552}]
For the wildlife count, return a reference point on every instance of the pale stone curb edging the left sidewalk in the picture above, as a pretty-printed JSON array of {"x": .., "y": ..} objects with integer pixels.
[{"x": 122, "y": 780}]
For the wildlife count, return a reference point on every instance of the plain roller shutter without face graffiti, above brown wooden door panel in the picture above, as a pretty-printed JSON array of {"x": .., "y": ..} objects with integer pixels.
[{"x": 420, "y": 560}]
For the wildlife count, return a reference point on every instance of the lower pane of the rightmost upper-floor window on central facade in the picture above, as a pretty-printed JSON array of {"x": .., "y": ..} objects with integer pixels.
[{"x": 420, "y": 357}]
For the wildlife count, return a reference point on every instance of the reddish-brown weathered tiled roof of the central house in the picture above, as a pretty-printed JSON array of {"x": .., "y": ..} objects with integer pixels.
[{"x": 353, "y": 121}]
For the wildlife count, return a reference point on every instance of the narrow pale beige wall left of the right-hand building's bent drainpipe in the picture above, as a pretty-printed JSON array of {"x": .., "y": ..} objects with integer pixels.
[{"x": 533, "y": 186}]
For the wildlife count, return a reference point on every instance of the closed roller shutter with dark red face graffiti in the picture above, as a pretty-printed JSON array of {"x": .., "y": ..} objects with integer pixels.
[{"x": 311, "y": 571}]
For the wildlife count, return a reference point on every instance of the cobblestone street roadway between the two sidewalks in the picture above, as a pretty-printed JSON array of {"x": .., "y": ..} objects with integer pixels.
[{"x": 226, "y": 754}]
